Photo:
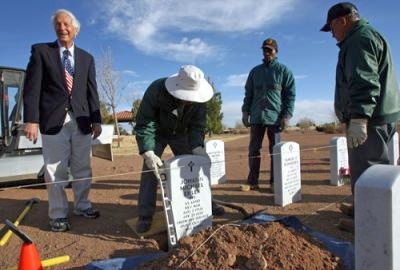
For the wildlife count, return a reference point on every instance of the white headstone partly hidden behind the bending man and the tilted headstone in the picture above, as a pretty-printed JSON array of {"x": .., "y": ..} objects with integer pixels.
[{"x": 216, "y": 151}]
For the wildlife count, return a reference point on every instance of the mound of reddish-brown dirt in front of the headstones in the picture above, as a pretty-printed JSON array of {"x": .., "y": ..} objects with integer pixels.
[{"x": 255, "y": 246}]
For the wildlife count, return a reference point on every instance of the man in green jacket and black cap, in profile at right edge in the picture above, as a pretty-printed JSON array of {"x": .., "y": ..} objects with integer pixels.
[{"x": 367, "y": 96}]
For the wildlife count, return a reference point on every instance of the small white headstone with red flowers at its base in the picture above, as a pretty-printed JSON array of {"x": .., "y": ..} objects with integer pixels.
[{"x": 339, "y": 161}]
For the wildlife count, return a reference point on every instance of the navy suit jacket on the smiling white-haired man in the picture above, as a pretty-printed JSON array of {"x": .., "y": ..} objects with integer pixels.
[{"x": 46, "y": 100}]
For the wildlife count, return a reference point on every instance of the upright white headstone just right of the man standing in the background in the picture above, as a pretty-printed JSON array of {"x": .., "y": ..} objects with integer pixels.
[{"x": 287, "y": 185}]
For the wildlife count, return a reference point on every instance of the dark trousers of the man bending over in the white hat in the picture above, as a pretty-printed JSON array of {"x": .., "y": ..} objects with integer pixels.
[{"x": 148, "y": 181}]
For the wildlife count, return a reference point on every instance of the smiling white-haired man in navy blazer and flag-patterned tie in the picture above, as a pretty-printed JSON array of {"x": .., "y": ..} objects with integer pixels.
[{"x": 61, "y": 99}]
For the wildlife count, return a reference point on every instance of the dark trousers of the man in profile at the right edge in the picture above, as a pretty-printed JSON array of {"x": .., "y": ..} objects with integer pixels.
[{"x": 373, "y": 151}]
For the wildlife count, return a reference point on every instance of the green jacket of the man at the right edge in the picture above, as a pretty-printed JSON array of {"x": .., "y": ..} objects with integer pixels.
[{"x": 366, "y": 84}]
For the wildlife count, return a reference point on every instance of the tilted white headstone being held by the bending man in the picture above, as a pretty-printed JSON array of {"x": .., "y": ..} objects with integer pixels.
[{"x": 189, "y": 194}]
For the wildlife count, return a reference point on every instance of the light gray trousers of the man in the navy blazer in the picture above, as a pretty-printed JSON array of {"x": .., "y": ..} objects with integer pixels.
[{"x": 68, "y": 148}]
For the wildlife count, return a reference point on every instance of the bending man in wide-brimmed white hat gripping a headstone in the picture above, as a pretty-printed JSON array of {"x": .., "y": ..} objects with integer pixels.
[{"x": 172, "y": 112}]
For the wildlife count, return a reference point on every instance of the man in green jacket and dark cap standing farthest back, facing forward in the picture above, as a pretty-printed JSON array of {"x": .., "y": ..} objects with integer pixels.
[{"x": 267, "y": 106}]
